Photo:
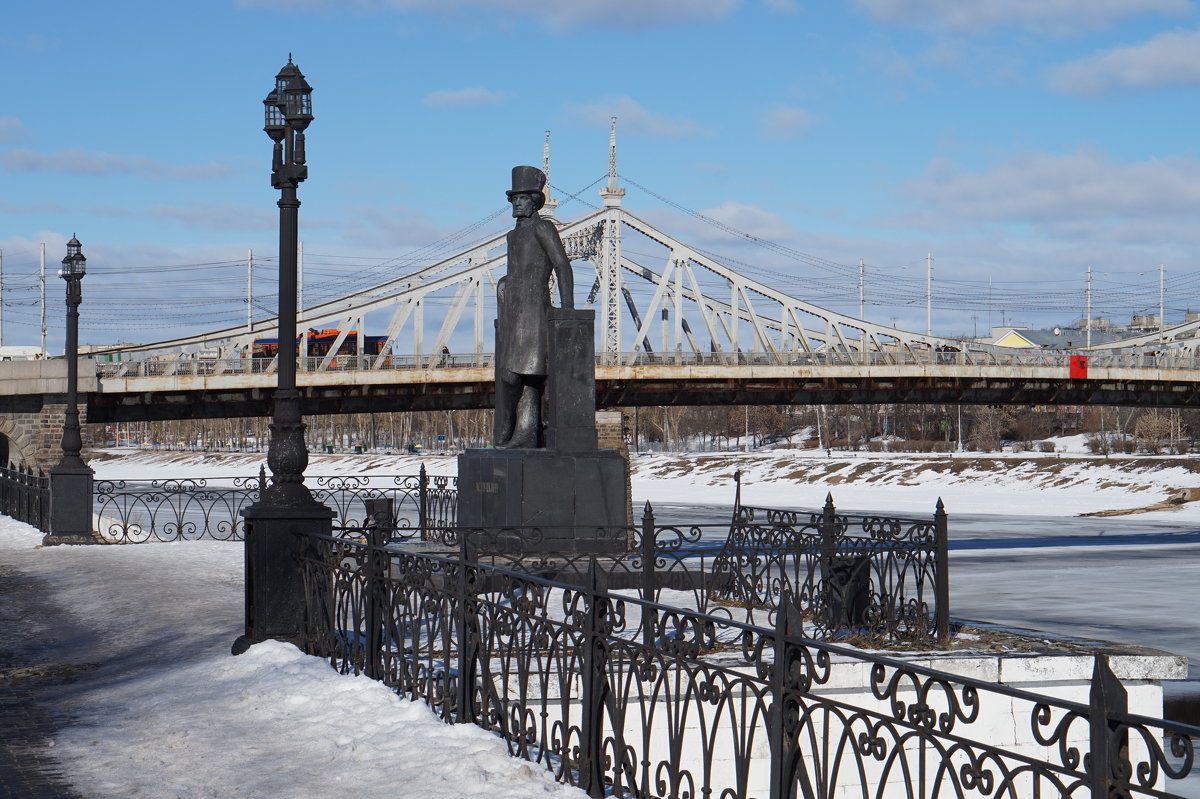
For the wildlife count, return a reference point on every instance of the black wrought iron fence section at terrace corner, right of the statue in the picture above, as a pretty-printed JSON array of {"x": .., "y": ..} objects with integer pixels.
[{"x": 883, "y": 578}]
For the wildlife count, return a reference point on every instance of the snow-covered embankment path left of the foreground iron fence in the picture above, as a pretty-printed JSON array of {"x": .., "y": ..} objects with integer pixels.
[{"x": 161, "y": 708}]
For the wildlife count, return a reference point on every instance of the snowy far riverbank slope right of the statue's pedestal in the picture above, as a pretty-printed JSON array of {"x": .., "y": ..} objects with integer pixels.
[{"x": 908, "y": 484}]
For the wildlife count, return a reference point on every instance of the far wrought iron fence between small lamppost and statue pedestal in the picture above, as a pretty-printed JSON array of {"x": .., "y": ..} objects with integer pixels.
[{"x": 135, "y": 512}]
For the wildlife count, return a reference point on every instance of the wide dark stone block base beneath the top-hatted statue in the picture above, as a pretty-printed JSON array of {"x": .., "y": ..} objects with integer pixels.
[{"x": 577, "y": 501}]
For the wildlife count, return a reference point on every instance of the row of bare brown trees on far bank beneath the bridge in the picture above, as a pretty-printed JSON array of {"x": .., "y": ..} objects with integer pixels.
[{"x": 899, "y": 428}]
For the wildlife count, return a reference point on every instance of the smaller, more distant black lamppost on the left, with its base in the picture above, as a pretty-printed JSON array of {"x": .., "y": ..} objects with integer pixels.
[{"x": 71, "y": 480}]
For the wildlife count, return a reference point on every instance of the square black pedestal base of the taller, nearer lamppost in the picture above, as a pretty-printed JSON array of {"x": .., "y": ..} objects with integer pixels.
[{"x": 275, "y": 592}]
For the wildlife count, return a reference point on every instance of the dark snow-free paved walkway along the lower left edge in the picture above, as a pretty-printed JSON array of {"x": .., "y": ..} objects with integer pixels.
[{"x": 28, "y": 682}]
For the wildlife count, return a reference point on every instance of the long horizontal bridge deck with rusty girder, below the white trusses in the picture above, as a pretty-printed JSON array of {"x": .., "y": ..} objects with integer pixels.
[{"x": 211, "y": 389}]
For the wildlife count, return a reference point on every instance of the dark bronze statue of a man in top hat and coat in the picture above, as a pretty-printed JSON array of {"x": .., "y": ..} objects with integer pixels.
[{"x": 524, "y": 299}]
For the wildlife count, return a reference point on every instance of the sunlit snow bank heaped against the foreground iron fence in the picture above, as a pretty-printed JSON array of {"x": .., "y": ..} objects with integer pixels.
[{"x": 277, "y": 723}]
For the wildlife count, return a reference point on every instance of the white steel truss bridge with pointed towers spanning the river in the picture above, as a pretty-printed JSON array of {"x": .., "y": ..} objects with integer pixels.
[{"x": 675, "y": 326}]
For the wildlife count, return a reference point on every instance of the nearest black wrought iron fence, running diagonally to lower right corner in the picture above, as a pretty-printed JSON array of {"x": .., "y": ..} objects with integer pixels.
[{"x": 629, "y": 698}]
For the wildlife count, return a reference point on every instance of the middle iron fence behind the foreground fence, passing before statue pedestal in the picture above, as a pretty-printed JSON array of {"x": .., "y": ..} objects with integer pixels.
[{"x": 886, "y": 584}]
